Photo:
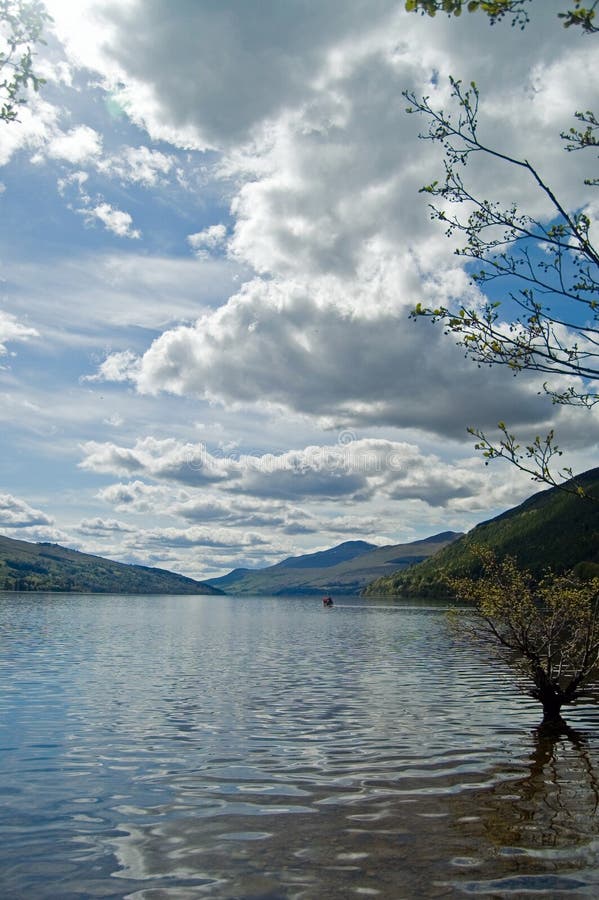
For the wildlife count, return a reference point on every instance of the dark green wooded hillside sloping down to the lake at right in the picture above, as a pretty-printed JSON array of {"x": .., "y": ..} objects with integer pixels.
[{"x": 552, "y": 529}]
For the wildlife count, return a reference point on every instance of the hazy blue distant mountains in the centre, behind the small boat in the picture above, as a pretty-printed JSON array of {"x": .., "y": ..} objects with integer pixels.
[{"x": 346, "y": 568}]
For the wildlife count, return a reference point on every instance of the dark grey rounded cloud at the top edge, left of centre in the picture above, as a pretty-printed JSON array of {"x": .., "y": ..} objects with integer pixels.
[{"x": 223, "y": 69}]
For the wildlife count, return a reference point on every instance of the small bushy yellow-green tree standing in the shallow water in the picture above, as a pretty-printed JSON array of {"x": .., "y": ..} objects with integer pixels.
[{"x": 548, "y": 629}]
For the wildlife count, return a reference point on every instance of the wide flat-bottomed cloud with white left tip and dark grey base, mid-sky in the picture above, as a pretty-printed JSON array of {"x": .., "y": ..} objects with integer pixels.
[{"x": 312, "y": 353}]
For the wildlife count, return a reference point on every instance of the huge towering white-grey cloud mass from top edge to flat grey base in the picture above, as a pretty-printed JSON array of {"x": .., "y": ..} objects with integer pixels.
[{"x": 326, "y": 170}]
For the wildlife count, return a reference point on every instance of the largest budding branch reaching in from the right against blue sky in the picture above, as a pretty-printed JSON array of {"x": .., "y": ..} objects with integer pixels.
[{"x": 554, "y": 262}]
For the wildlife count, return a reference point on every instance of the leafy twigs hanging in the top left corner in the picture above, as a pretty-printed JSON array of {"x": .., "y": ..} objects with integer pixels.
[{"x": 21, "y": 26}]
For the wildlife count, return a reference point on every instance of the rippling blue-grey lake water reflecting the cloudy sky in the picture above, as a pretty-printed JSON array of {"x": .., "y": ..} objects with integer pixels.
[{"x": 170, "y": 748}]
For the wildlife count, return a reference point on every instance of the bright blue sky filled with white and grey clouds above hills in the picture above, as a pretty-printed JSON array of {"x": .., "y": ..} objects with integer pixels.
[{"x": 211, "y": 239}]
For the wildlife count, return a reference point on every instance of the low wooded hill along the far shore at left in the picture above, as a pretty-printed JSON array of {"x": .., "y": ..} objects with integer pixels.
[{"x": 48, "y": 567}]
